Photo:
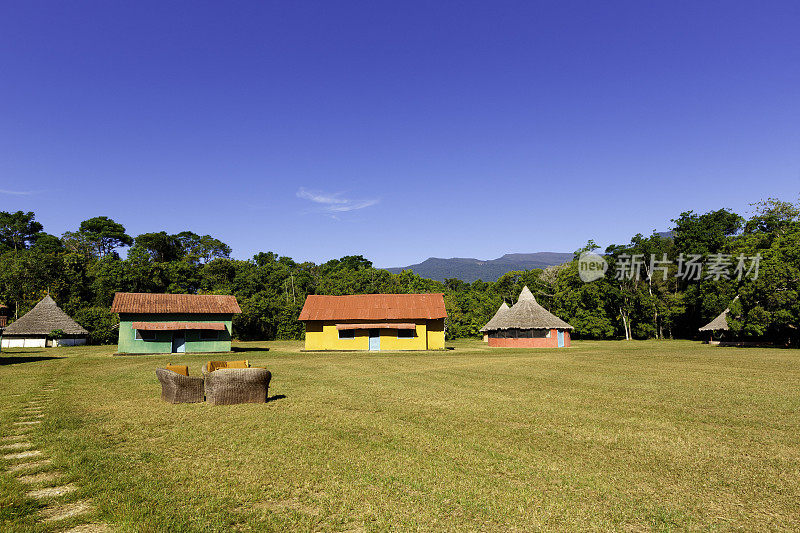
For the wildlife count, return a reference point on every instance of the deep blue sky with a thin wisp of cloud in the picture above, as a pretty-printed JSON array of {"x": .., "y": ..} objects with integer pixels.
[{"x": 397, "y": 130}]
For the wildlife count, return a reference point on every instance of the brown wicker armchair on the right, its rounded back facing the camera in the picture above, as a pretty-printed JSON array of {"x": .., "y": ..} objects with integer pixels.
[{"x": 238, "y": 385}]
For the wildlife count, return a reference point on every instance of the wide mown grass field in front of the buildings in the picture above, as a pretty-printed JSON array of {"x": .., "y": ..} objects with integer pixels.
[{"x": 668, "y": 435}]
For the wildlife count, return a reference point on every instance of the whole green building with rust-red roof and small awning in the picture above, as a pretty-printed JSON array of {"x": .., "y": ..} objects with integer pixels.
[{"x": 174, "y": 323}]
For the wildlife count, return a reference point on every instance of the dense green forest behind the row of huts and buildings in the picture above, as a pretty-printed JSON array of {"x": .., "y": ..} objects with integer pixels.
[{"x": 653, "y": 287}]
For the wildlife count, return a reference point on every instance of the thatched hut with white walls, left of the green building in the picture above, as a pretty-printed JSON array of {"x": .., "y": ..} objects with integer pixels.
[{"x": 44, "y": 325}]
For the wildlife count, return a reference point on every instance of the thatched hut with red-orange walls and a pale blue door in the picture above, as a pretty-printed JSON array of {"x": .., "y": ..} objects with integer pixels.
[{"x": 529, "y": 325}]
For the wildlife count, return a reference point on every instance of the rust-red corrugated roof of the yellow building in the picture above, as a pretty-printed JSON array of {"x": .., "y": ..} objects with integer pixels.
[{"x": 374, "y": 307}]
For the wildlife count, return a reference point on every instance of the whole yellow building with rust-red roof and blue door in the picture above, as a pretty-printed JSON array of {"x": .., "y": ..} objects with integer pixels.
[{"x": 374, "y": 322}]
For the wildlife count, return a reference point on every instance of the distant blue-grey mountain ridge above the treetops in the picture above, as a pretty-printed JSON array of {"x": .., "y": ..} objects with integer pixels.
[{"x": 469, "y": 270}]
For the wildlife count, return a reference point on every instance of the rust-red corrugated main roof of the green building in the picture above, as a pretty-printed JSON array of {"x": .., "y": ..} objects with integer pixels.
[{"x": 131, "y": 302}]
